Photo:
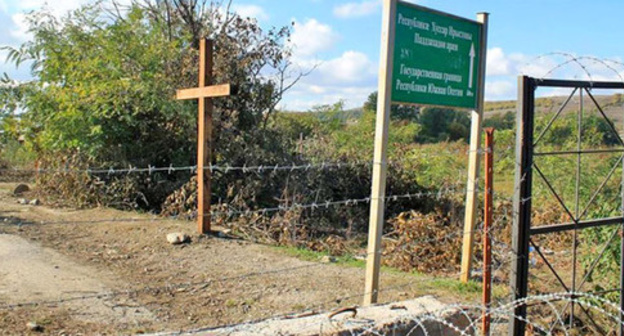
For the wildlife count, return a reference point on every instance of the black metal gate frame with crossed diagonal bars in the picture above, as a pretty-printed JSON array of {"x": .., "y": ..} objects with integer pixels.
[{"x": 525, "y": 166}]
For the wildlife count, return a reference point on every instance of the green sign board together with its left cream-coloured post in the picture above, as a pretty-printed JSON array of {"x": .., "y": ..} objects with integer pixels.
[{"x": 427, "y": 57}]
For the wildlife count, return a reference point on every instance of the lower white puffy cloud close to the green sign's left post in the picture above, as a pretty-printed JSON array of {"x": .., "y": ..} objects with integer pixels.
[{"x": 351, "y": 67}]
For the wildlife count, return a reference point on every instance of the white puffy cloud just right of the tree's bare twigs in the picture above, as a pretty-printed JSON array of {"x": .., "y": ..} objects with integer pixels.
[{"x": 312, "y": 37}]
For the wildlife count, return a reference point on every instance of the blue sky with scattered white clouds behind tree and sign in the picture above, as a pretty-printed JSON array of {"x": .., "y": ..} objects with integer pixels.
[{"x": 340, "y": 38}]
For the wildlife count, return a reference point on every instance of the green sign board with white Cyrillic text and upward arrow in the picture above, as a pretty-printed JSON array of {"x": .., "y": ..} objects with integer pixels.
[{"x": 436, "y": 58}]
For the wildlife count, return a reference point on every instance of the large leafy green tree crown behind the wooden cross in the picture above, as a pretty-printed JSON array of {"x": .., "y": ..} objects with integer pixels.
[{"x": 105, "y": 81}]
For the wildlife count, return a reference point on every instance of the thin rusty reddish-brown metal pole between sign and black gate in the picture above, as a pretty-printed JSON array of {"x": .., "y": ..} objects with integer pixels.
[{"x": 487, "y": 225}]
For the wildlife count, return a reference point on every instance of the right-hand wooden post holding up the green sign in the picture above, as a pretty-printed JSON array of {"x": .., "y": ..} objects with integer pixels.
[{"x": 473, "y": 159}]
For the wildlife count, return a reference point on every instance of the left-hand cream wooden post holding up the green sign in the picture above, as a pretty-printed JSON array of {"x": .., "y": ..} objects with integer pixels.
[{"x": 378, "y": 193}]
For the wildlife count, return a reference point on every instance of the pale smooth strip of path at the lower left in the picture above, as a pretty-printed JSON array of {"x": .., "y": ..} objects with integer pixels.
[{"x": 29, "y": 272}]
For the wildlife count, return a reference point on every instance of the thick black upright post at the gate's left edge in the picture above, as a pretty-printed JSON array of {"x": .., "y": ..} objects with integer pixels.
[{"x": 522, "y": 200}]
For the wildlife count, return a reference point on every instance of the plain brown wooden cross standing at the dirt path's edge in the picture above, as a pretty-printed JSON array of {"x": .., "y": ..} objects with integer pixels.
[{"x": 204, "y": 92}]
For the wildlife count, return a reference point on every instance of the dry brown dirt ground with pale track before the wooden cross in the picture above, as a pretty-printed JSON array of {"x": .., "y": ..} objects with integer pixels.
[{"x": 159, "y": 287}]
